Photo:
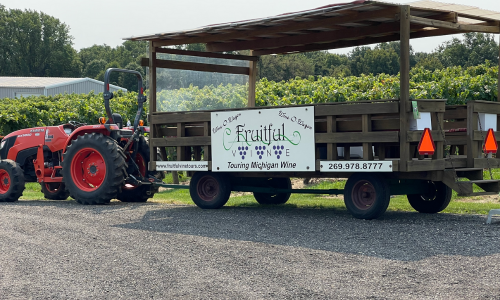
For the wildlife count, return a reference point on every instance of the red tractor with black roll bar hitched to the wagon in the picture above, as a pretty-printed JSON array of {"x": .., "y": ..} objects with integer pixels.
[{"x": 91, "y": 163}]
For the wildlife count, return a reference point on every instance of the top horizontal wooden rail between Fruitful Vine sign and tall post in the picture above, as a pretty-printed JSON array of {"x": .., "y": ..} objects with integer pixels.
[{"x": 357, "y": 109}]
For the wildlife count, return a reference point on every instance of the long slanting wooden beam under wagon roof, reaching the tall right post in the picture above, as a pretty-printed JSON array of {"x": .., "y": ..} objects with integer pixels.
[{"x": 303, "y": 39}]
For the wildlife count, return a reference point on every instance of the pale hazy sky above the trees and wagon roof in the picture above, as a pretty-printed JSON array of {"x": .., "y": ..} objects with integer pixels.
[{"x": 109, "y": 21}]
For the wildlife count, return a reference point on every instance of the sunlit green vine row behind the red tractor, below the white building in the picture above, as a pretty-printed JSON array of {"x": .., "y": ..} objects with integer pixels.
[{"x": 55, "y": 110}]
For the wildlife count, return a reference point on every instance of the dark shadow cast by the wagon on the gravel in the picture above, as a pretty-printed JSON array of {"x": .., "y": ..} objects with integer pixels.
[{"x": 398, "y": 235}]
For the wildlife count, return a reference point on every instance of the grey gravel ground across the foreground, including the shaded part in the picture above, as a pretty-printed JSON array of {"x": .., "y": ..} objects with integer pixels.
[{"x": 62, "y": 250}]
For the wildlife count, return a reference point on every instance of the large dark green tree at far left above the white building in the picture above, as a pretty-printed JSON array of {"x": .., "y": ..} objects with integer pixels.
[{"x": 35, "y": 44}]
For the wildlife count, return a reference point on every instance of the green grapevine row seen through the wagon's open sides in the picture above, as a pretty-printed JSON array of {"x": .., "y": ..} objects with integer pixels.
[{"x": 457, "y": 85}]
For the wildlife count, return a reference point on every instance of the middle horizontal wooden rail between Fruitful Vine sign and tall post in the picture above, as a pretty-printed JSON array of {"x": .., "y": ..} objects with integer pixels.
[{"x": 358, "y": 137}]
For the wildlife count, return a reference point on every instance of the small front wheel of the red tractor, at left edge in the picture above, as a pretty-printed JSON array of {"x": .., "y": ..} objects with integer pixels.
[{"x": 11, "y": 181}]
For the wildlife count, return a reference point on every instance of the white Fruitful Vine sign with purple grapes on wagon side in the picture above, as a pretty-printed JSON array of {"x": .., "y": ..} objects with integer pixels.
[{"x": 263, "y": 140}]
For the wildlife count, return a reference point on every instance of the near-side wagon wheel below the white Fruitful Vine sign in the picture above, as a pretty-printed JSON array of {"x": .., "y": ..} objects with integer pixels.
[{"x": 210, "y": 190}]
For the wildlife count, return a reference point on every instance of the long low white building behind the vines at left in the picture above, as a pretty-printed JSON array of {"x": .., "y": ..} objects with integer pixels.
[{"x": 15, "y": 87}]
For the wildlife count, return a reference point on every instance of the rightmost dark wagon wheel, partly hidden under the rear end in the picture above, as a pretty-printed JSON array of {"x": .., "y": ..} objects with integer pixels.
[{"x": 436, "y": 200}]
